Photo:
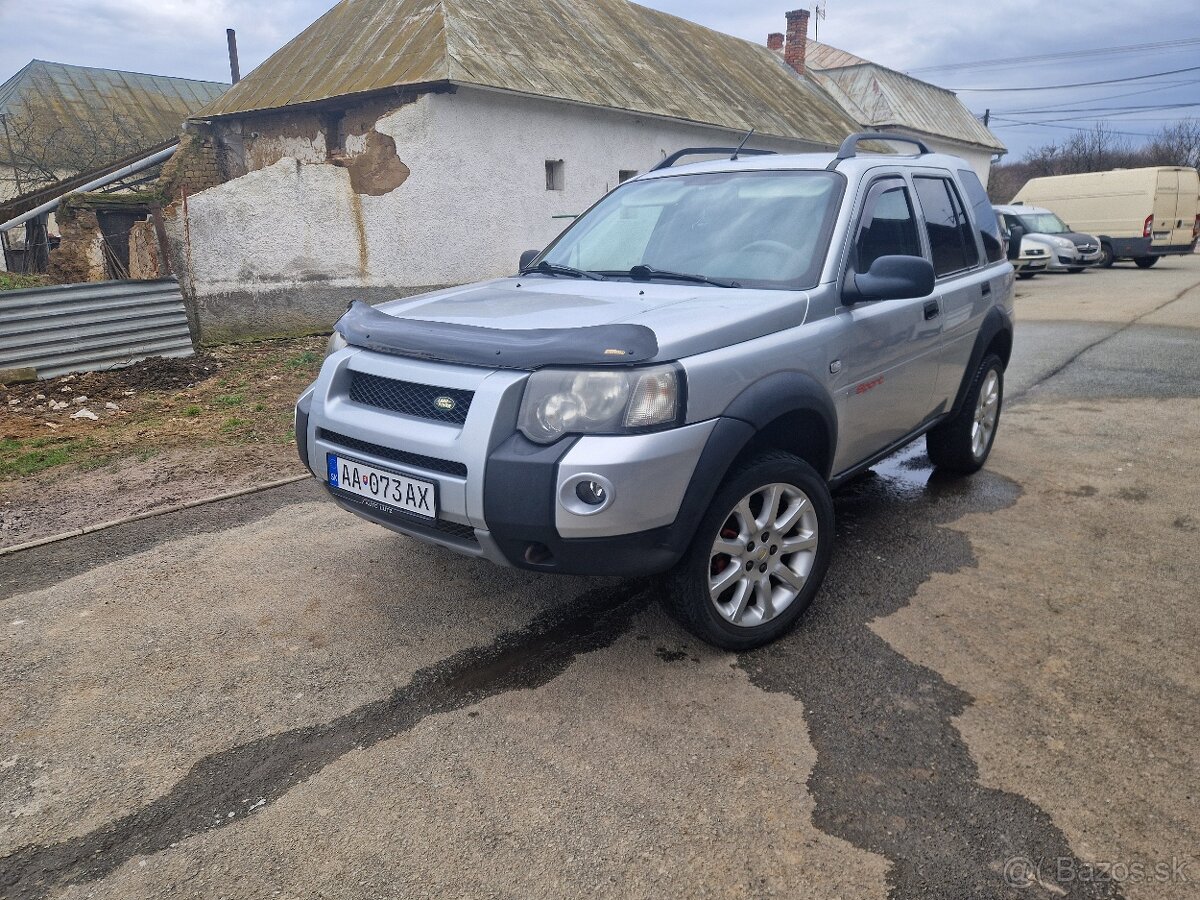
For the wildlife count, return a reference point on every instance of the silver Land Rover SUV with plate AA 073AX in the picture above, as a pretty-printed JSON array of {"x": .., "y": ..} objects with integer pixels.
[{"x": 679, "y": 382}]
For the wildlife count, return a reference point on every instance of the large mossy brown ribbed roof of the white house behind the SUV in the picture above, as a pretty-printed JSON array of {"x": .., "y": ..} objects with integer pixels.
[{"x": 605, "y": 53}]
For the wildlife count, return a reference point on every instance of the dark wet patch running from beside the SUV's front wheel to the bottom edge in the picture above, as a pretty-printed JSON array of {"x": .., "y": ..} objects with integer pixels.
[{"x": 893, "y": 775}]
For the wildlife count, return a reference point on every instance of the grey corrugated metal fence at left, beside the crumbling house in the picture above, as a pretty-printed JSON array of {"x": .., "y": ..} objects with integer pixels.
[{"x": 86, "y": 328}]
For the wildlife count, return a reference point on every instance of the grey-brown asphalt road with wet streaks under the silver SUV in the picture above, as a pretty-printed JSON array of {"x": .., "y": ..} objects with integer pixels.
[{"x": 994, "y": 697}]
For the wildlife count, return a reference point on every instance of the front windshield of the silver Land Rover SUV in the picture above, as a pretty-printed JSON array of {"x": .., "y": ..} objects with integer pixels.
[{"x": 755, "y": 230}]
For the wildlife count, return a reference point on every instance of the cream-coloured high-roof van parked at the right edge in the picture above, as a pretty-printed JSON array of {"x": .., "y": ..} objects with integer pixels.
[{"x": 1138, "y": 214}]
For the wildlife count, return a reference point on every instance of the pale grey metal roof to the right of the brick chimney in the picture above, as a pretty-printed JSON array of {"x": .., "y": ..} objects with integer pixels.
[{"x": 880, "y": 98}]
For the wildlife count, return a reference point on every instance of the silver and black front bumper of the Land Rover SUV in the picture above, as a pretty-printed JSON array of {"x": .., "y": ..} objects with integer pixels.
[{"x": 501, "y": 497}]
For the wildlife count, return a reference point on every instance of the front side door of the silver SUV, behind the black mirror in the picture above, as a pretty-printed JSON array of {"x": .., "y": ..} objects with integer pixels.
[{"x": 891, "y": 358}]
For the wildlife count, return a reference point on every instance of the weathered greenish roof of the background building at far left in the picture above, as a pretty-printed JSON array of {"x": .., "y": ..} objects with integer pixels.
[{"x": 70, "y": 109}]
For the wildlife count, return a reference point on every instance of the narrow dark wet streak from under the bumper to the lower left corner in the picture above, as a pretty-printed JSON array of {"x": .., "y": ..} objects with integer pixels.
[{"x": 225, "y": 788}]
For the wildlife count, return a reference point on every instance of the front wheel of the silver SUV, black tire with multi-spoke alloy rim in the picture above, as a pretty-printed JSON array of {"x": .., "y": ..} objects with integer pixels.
[{"x": 757, "y": 603}]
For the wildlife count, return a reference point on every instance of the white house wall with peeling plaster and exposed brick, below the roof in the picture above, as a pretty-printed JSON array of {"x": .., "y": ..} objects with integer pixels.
[{"x": 443, "y": 190}]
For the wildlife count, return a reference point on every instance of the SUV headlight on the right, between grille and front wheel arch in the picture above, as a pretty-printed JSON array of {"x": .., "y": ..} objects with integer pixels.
[{"x": 613, "y": 401}]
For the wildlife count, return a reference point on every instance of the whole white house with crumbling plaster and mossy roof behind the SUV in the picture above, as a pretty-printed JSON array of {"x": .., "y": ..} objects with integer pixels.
[{"x": 398, "y": 147}]
